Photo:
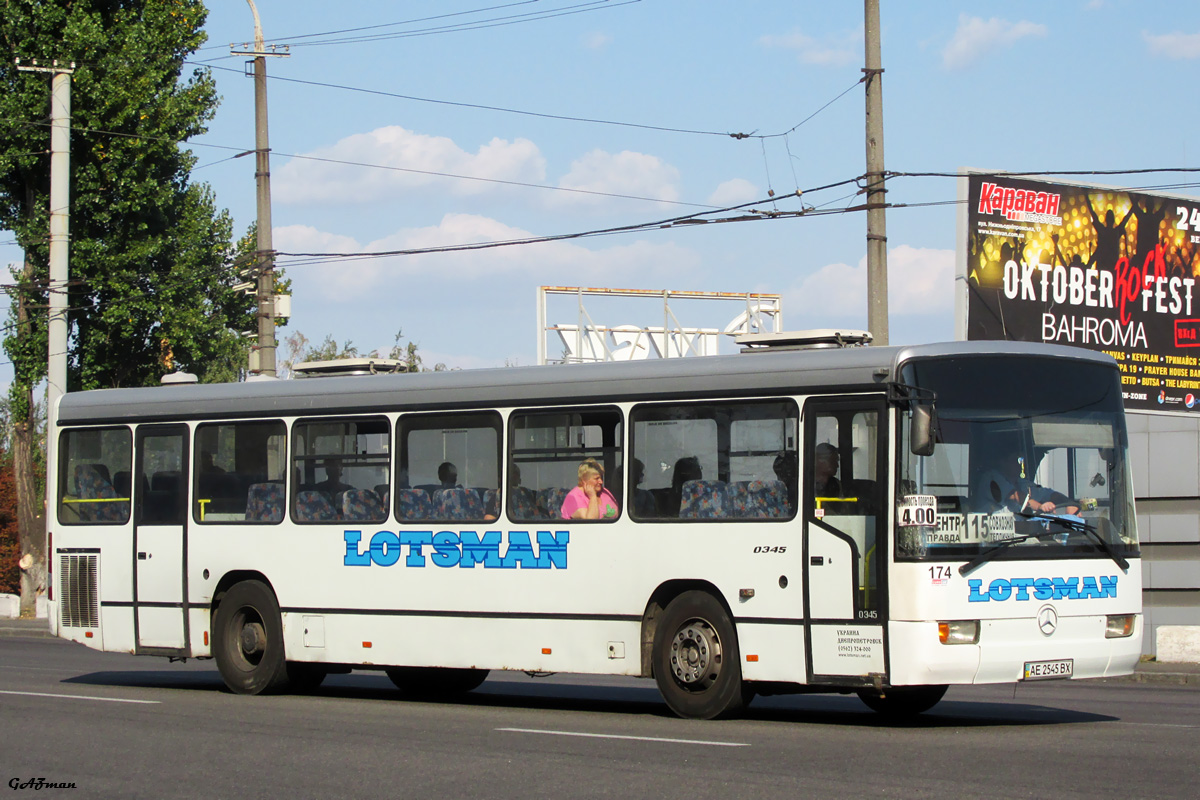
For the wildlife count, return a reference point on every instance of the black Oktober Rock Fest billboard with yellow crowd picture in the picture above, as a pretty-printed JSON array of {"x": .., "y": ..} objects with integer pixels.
[{"x": 1102, "y": 269}]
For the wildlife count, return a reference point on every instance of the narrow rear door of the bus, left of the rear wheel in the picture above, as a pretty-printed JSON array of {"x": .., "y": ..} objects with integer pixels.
[{"x": 160, "y": 540}]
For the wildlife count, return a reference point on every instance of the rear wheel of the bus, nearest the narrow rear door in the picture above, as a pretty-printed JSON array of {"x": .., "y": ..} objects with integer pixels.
[{"x": 248, "y": 640}]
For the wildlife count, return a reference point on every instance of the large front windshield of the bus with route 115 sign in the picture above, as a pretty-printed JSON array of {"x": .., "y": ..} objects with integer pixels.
[{"x": 1029, "y": 452}]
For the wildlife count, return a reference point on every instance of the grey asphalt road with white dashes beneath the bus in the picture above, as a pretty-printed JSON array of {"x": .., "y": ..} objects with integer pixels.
[{"x": 134, "y": 727}]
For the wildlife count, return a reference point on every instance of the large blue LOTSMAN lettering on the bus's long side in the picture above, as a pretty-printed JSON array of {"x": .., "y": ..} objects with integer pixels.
[{"x": 464, "y": 549}]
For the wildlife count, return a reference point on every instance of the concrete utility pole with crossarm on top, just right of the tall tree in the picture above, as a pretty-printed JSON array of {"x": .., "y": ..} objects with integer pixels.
[{"x": 266, "y": 347}]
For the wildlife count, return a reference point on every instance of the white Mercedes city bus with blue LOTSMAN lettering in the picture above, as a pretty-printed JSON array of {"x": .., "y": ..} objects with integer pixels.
[{"x": 881, "y": 521}]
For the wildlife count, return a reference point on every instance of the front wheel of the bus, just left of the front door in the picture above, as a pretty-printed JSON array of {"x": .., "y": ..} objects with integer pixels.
[{"x": 697, "y": 660}]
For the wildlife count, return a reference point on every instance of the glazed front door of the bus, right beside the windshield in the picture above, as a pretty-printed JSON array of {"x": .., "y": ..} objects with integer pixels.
[{"x": 844, "y": 488}]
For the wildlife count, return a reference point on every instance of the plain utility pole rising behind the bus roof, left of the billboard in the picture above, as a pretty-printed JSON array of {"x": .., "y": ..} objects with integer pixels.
[{"x": 877, "y": 197}]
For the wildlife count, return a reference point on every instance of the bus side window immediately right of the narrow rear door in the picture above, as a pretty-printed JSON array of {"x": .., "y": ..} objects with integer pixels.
[{"x": 239, "y": 472}]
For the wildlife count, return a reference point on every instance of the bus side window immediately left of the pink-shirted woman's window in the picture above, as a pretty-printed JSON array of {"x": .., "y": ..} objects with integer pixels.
[{"x": 448, "y": 467}]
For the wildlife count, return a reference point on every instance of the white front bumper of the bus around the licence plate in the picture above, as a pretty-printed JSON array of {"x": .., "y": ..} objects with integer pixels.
[{"x": 1006, "y": 647}]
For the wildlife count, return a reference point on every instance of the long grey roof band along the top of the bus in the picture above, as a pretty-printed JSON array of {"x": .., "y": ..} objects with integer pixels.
[{"x": 850, "y": 370}]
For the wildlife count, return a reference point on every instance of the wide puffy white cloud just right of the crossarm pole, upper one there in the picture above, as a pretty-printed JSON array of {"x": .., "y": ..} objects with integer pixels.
[{"x": 305, "y": 182}]
